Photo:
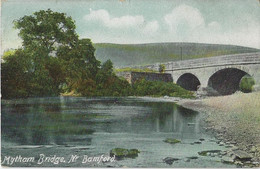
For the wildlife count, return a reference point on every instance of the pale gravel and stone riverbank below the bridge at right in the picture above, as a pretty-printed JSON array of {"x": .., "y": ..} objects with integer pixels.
[{"x": 235, "y": 119}]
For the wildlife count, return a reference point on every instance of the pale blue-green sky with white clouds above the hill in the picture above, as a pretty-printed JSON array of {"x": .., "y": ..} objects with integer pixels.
[{"x": 234, "y": 22}]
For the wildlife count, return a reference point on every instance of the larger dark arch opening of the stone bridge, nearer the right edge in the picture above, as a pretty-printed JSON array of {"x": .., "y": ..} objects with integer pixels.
[{"x": 226, "y": 81}]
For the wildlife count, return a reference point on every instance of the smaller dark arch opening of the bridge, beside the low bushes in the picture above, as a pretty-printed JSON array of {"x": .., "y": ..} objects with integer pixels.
[{"x": 189, "y": 82}]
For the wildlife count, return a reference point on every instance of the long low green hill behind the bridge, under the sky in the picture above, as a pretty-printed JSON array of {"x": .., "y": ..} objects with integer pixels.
[{"x": 123, "y": 55}]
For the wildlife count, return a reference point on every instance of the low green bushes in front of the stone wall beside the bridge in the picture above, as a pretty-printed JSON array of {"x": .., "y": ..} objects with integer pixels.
[{"x": 158, "y": 88}]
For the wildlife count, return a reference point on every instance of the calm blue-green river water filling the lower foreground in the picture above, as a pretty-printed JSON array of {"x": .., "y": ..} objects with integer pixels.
[{"x": 65, "y": 126}]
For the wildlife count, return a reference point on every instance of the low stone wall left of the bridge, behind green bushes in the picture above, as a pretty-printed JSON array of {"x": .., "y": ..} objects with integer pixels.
[{"x": 132, "y": 77}]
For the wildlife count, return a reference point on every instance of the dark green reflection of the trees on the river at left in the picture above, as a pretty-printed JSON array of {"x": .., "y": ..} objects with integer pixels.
[{"x": 39, "y": 122}]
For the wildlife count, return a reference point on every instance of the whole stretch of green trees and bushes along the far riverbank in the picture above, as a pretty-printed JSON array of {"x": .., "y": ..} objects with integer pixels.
[{"x": 53, "y": 61}]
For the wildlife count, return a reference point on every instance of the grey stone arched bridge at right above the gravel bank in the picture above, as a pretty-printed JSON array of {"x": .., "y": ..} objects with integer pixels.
[{"x": 222, "y": 73}]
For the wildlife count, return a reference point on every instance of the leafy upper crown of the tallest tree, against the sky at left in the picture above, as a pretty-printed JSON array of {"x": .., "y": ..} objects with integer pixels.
[{"x": 47, "y": 31}]
